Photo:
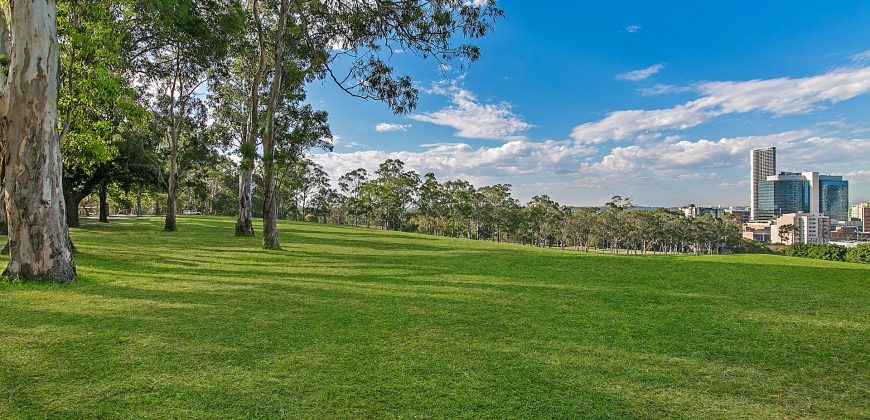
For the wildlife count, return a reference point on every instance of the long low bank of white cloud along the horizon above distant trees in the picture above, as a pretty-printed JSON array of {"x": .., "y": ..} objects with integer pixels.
[{"x": 563, "y": 168}]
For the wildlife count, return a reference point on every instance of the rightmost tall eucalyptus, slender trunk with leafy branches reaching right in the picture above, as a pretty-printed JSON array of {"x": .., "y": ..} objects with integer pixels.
[{"x": 316, "y": 38}]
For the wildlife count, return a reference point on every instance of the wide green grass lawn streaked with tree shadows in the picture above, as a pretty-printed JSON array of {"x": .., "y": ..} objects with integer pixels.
[{"x": 349, "y": 322}]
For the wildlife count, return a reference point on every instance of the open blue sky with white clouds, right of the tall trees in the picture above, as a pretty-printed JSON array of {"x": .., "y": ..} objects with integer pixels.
[{"x": 659, "y": 101}]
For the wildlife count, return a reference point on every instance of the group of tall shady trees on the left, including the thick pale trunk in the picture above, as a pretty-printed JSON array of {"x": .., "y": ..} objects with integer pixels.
[{"x": 153, "y": 95}]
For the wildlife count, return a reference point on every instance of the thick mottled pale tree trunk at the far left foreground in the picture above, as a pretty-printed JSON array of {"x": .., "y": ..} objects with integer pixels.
[{"x": 39, "y": 242}]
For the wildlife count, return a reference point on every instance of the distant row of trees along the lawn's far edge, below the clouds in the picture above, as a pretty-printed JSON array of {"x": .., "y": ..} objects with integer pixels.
[{"x": 393, "y": 197}]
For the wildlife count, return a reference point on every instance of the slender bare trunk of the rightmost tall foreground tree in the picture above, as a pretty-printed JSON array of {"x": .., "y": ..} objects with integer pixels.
[{"x": 270, "y": 199}]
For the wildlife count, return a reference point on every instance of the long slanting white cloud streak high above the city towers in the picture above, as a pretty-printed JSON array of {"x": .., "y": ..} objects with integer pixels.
[{"x": 782, "y": 96}]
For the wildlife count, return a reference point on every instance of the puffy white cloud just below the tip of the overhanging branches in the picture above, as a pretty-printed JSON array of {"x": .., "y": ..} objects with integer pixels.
[{"x": 473, "y": 119}]
